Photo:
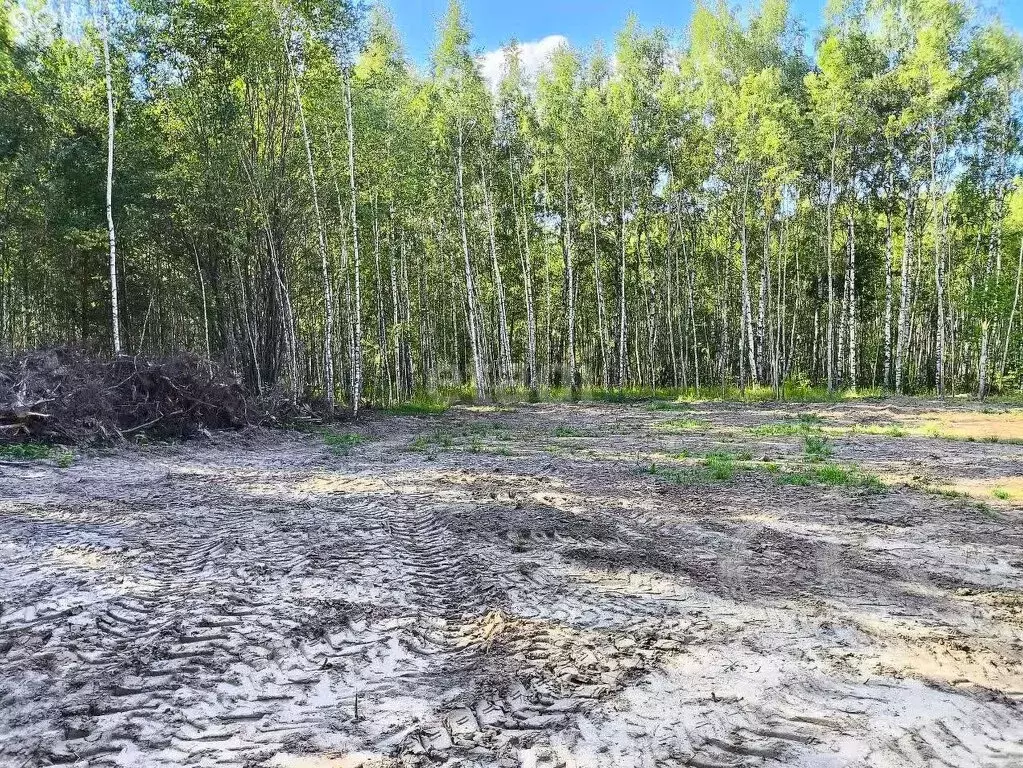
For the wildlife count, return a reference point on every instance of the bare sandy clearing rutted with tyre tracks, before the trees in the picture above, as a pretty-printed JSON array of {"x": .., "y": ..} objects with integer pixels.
[{"x": 511, "y": 589}]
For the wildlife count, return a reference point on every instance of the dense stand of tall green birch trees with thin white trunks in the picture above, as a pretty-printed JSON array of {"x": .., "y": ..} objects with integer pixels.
[{"x": 741, "y": 204}]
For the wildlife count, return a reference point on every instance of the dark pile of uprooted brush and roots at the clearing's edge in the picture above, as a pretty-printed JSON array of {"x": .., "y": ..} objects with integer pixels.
[{"x": 69, "y": 396}]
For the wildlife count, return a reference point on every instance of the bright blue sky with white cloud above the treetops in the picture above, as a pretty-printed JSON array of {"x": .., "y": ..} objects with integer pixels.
[{"x": 583, "y": 22}]
